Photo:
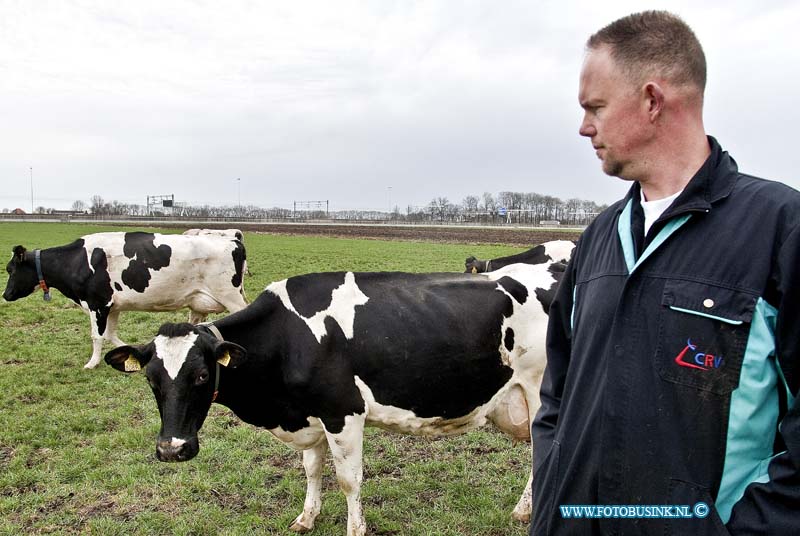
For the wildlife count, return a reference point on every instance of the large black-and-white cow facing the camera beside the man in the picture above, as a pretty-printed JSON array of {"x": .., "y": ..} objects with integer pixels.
[{"x": 318, "y": 357}]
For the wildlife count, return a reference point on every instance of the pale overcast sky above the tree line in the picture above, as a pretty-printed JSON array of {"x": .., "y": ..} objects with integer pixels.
[{"x": 364, "y": 104}]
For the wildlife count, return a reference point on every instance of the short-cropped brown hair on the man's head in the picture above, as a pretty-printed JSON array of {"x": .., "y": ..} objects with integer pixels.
[{"x": 654, "y": 42}]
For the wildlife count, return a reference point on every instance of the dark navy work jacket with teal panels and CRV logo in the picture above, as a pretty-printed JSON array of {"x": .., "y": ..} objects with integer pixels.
[{"x": 673, "y": 365}]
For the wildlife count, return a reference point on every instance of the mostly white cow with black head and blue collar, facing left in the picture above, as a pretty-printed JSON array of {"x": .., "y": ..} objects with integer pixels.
[{"x": 106, "y": 273}]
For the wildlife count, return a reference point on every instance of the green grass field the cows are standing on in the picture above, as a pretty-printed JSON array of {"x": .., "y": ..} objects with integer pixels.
[{"x": 77, "y": 446}]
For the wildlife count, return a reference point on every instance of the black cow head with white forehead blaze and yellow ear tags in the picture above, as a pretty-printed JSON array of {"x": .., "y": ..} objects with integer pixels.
[{"x": 181, "y": 366}]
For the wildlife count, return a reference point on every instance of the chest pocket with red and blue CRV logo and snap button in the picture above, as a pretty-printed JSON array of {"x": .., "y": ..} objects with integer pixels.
[{"x": 703, "y": 332}]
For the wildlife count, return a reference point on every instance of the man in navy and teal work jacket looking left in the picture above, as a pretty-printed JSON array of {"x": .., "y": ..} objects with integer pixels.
[{"x": 674, "y": 340}]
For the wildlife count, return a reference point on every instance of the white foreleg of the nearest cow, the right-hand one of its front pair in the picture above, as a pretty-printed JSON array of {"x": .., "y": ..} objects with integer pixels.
[{"x": 346, "y": 447}]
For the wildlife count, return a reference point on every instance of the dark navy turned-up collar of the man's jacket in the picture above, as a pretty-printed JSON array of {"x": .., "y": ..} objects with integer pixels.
[{"x": 713, "y": 182}]
